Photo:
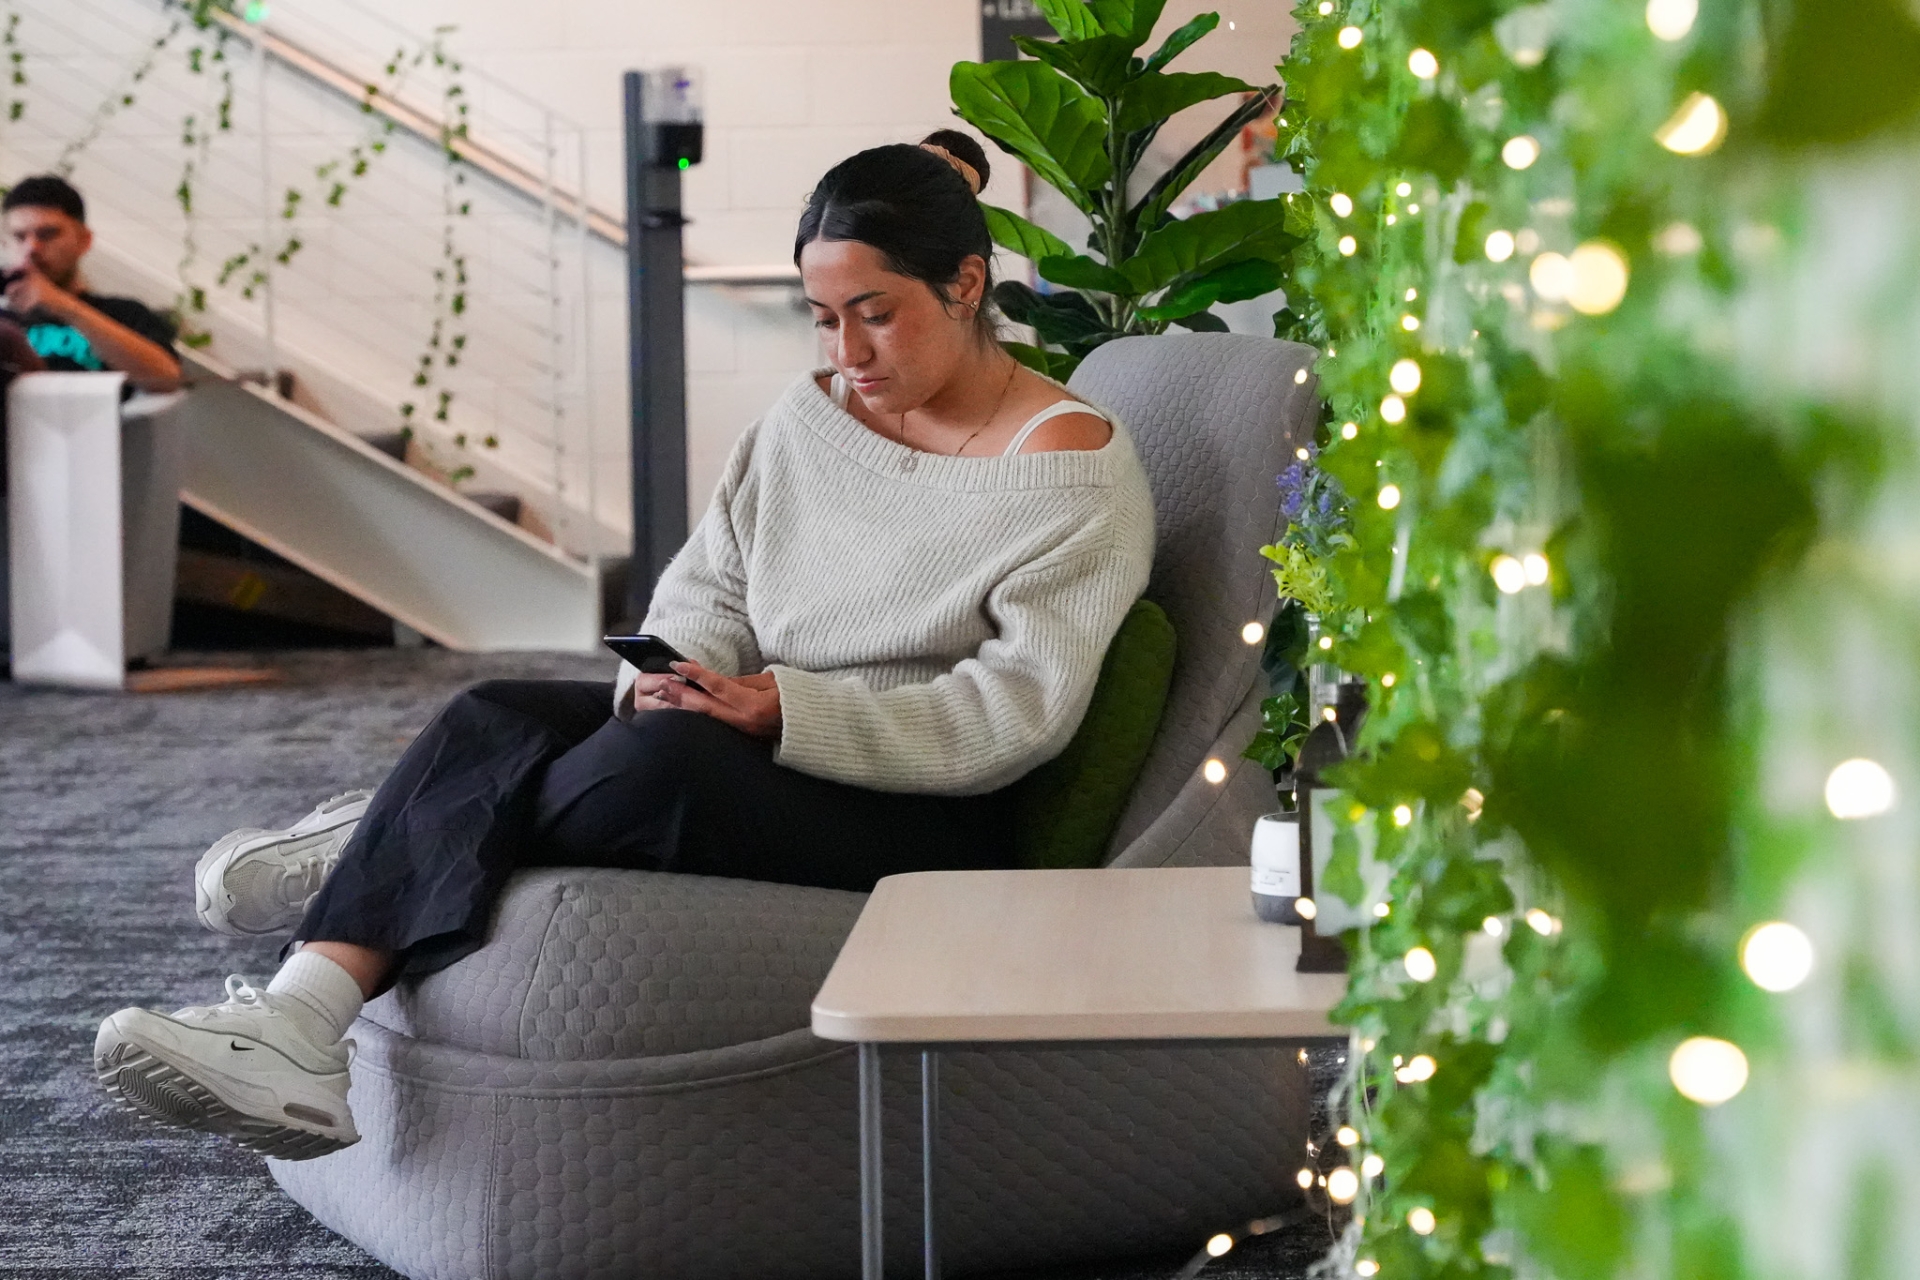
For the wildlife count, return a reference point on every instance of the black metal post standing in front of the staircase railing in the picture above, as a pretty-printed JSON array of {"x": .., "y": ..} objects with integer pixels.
[{"x": 658, "y": 354}]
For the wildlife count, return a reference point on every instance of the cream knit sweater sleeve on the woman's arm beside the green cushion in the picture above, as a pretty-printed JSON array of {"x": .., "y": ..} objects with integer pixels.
[{"x": 997, "y": 715}]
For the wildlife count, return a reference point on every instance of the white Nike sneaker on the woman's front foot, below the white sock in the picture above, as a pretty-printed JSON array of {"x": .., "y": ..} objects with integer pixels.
[{"x": 241, "y": 1070}]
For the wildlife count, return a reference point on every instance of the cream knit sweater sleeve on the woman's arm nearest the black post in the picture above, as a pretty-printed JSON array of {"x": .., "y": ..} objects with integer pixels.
[{"x": 700, "y": 605}]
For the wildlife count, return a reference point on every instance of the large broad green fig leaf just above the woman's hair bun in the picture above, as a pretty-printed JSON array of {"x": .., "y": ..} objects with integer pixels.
[{"x": 1040, "y": 116}]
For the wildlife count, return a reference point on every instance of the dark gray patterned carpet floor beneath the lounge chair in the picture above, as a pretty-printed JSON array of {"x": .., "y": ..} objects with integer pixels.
[{"x": 105, "y": 805}]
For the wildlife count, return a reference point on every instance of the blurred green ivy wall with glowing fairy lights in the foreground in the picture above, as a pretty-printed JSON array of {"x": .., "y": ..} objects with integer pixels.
[{"x": 1618, "y": 321}]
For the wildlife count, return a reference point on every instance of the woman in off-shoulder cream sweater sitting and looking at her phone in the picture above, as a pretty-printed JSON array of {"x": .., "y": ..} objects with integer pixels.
[{"x": 896, "y": 607}]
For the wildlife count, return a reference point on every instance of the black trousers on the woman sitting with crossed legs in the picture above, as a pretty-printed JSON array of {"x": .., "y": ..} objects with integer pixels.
[{"x": 540, "y": 772}]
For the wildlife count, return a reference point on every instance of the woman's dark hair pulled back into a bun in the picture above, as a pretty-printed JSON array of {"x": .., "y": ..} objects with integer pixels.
[{"x": 909, "y": 204}]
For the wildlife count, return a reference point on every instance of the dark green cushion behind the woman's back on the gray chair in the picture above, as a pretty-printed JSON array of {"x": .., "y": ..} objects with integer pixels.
[{"x": 1070, "y": 805}]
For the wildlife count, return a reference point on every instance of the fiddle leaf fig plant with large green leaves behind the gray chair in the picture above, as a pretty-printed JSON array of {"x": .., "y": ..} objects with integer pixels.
[{"x": 1082, "y": 114}]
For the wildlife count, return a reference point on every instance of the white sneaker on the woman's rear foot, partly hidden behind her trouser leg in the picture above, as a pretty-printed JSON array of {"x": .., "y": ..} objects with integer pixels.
[{"x": 260, "y": 882}]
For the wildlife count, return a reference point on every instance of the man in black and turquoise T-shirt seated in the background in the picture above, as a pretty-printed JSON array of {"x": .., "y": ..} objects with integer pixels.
[{"x": 70, "y": 327}]
